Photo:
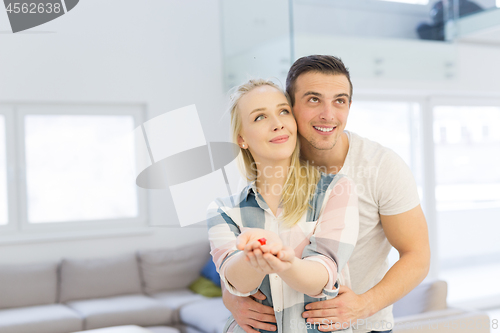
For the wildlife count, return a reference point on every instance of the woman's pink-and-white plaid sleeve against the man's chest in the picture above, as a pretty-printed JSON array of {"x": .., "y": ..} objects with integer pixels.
[{"x": 336, "y": 233}]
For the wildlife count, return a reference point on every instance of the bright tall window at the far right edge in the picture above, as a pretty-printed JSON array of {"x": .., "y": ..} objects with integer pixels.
[{"x": 467, "y": 156}]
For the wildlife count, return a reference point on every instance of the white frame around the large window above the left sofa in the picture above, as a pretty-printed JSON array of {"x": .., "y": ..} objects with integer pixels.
[{"x": 19, "y": 228}]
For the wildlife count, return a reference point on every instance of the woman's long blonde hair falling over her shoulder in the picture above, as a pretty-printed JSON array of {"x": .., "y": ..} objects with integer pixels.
[{"x": 302, "y": 178}]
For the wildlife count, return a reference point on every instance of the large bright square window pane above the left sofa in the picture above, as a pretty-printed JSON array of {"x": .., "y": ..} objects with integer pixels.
[{"x": 79, "y": 168}]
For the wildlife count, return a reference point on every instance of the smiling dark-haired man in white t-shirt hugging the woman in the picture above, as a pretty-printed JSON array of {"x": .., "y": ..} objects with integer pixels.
[{"x": 320, "y": 90}]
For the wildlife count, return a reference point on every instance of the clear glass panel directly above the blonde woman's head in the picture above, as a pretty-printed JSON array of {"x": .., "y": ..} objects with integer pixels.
[{"x": 256, "y": 40}]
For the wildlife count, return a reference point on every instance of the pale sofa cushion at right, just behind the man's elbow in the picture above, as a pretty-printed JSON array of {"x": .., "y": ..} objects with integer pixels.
[{"x": 427, "y": 296}]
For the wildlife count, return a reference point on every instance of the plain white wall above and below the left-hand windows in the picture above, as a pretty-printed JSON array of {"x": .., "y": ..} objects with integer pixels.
[{"x": 165, "y": 54}]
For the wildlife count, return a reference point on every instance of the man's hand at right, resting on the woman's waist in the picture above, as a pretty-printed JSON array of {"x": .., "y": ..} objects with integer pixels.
[{"x": 345, "y": 309}]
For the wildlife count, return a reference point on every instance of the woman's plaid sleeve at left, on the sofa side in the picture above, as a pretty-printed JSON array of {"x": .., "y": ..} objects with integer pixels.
[{"x": 222, "y": 234}]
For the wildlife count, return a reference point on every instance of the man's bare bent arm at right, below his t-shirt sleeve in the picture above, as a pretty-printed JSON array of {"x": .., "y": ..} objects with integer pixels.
[{"x": 407, "y": 232}]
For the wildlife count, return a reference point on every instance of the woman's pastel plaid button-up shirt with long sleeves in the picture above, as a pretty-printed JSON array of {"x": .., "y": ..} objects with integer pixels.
[{"x": 326, "y": 233}]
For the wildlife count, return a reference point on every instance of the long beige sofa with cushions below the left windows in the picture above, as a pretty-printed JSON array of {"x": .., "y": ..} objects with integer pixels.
[{"x": 147, "y": 288}]
